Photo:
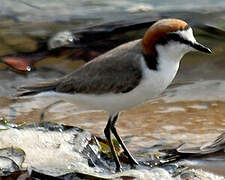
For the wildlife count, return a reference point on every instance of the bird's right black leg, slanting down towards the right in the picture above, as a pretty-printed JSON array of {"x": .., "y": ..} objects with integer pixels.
[{"x": 133, "y": 162}]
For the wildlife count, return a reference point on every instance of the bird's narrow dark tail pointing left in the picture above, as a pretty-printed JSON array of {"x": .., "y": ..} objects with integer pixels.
[{"x": 33, "y": 89}]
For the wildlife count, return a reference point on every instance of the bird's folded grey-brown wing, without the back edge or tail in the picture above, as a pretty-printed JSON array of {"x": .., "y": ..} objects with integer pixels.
[{"x": 104, "y": 75}]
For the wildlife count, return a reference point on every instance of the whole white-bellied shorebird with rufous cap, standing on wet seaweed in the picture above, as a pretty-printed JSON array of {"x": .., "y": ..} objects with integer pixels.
[{"x": 124, "y": 77}]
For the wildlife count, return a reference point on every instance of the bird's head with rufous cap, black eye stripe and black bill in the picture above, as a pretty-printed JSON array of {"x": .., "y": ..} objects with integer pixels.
[{"x": 171, "y": 38}]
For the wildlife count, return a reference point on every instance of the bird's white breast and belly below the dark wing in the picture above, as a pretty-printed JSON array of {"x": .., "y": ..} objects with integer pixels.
[{"x": 153, "y": 83}]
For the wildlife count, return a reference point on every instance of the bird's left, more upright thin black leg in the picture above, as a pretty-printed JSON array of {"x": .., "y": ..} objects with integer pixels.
[{"x": 107, "y": 132}]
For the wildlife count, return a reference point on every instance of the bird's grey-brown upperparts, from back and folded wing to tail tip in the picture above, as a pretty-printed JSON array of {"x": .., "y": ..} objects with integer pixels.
[{"x": 115, "y": 71}]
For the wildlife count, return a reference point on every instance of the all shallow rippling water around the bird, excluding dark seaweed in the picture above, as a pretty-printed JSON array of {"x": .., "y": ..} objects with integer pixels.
[{"x": 192, "y": 110}]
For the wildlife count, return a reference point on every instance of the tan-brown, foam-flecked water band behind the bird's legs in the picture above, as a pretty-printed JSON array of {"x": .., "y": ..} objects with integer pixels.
[{"x": 170, "y": 120}]
